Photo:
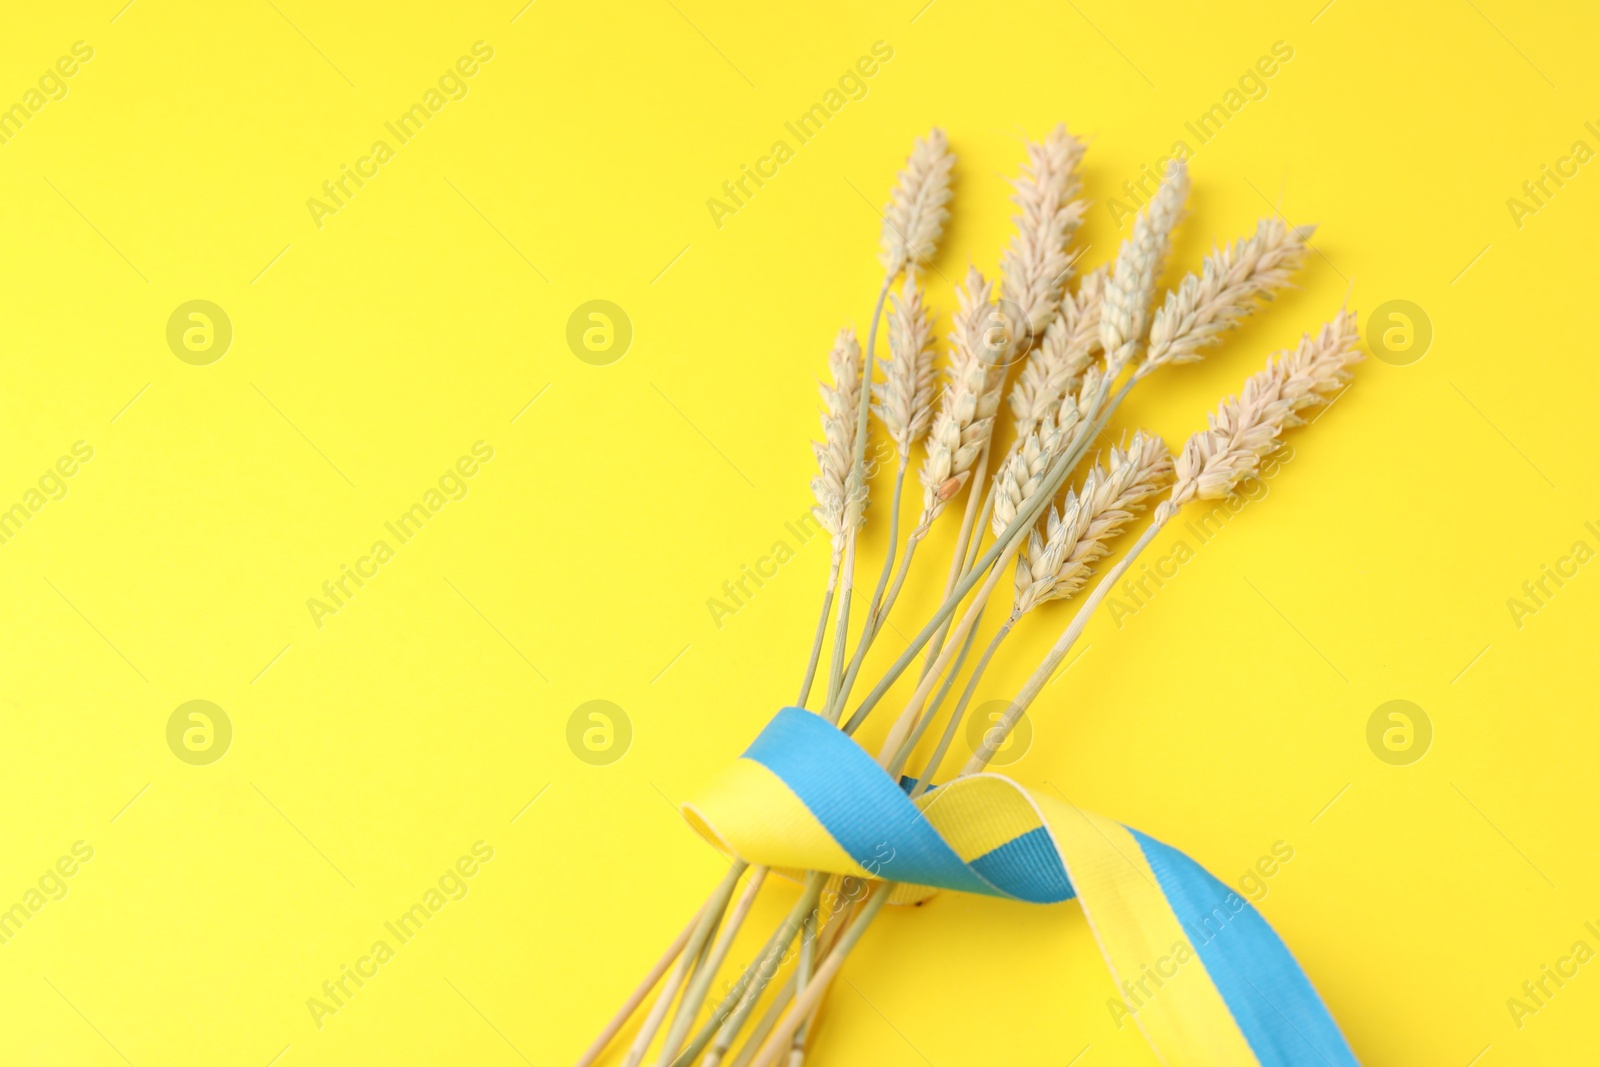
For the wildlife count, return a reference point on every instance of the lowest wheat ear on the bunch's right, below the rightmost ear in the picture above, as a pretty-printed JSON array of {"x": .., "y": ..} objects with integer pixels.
[{"x": 1058, "y": 564}]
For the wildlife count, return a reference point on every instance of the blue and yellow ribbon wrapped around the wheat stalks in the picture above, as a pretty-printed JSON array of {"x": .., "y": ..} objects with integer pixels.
[{"x": 1201, "y": 970}]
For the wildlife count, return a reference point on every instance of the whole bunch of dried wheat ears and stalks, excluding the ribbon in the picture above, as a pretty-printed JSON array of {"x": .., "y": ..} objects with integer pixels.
[{"x": 1081, "y": 353}]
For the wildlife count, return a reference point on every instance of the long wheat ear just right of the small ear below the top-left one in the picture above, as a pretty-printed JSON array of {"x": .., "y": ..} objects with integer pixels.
[{"x": 967, "y": 407}]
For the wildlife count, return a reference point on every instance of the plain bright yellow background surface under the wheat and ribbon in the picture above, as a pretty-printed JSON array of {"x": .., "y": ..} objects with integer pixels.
[{"x": 404, "y": 748}]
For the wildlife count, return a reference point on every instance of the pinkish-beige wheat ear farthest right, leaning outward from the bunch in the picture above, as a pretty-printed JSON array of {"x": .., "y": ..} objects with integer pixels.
[{"x": 1247, "y": 430}]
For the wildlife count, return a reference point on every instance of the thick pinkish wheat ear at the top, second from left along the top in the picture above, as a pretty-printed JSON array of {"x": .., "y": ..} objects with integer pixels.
[{"x": 1036, "y": 265}]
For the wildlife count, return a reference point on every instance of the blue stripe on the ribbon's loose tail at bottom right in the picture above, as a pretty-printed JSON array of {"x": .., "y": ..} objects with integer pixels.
[{"x": 1273, "y": 1002}]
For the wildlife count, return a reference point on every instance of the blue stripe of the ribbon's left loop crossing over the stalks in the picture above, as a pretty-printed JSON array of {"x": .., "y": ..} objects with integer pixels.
[{"x": 860, "y": 805}]
